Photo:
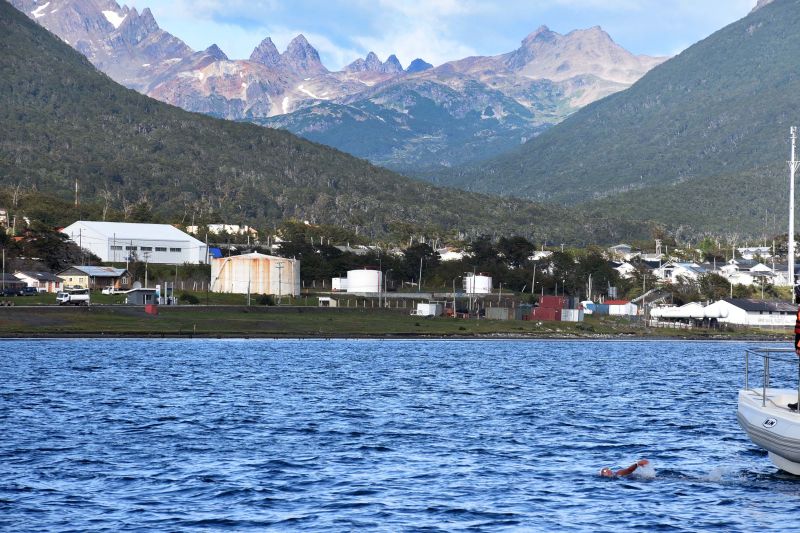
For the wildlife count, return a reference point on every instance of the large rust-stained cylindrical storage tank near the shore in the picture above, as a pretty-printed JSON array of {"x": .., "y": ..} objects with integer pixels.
[{"x": 256, "y": 273}]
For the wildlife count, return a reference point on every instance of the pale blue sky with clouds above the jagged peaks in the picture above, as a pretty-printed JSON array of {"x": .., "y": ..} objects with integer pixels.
[{"x": 436, "y": 30}]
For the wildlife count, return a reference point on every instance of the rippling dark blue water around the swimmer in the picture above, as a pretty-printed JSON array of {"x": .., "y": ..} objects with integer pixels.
[{"x": 211, "y": 435}]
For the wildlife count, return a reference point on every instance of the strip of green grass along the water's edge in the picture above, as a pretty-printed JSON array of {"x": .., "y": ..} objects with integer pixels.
[{"x": 302, "y": 322}]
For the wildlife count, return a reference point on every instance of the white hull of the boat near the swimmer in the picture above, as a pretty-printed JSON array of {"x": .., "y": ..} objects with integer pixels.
[{"x": 773, "y": 426}]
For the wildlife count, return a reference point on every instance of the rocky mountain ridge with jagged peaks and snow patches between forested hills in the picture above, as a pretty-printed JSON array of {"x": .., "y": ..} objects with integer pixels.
[{"x": 419, "y": 118}]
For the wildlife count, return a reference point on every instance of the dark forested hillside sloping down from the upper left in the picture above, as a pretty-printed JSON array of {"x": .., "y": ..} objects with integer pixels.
[{"x": 62, "y": 120}]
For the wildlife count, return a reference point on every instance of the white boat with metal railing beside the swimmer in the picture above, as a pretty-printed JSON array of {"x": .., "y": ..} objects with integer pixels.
[{"x": 763, "y": 411}]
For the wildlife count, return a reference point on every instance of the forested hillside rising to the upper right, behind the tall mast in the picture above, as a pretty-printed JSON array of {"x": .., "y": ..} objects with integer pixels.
[{"x": 720, "y": 112}]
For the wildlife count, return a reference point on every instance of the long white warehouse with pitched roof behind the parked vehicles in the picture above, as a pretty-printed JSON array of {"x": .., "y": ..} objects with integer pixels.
[{"x": 121, "y": 241}]
